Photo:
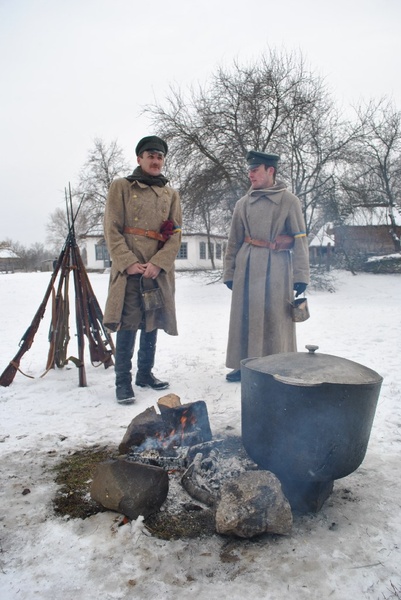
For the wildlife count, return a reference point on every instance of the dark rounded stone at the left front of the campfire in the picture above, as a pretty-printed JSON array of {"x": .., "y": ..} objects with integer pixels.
[{"x": 130, "y": 488}]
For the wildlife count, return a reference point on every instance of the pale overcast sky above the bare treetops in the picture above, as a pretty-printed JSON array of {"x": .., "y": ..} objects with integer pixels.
[{"x": 74, "y": 70}]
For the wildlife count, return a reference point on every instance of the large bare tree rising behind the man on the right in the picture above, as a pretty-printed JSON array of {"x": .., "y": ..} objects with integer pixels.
[{"x": 273, "y": 105}]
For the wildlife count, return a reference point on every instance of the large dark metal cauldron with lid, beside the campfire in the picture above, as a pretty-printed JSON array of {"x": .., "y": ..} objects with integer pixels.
[{"x": 307, "y": 416}]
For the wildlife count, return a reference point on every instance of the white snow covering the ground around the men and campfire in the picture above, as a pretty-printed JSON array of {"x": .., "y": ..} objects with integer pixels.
[{"x": 351, "y": 548}]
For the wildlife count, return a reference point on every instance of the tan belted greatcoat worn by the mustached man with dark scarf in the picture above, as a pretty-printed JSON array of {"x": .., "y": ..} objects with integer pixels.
[{"x": 134, "y": 204}]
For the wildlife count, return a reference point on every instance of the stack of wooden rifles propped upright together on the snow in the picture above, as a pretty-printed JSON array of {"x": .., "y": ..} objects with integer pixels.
[{"x": 88, "y": 315}]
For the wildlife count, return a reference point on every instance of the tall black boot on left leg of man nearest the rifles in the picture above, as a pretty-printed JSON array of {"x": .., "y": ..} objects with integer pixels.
[{"x": 125, "y": 341}]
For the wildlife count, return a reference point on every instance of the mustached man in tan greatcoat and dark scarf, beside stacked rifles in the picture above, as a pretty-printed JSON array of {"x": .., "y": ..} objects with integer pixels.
[{"x": 142, "y": 229}]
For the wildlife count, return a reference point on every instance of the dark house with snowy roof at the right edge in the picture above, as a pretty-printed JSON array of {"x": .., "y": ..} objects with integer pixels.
[{"x": 368, "y": 231}]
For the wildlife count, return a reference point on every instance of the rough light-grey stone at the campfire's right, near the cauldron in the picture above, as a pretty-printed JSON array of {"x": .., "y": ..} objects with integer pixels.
[{"x": 251, "y": 504}]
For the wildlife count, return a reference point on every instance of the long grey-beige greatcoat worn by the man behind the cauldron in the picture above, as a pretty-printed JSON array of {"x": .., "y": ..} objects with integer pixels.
[{"x": 260, "y": 318}]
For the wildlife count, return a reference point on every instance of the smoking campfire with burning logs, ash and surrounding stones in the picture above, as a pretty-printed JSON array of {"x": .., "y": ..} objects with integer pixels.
[{"x": 169, "y": 459}]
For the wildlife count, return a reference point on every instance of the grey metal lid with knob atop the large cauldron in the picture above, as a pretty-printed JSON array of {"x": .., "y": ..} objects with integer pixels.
[{"x": 310, "y": 369}]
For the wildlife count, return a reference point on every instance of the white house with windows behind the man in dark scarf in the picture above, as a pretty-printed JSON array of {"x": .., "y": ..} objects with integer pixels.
[{"x": 194, "y": 253}]
